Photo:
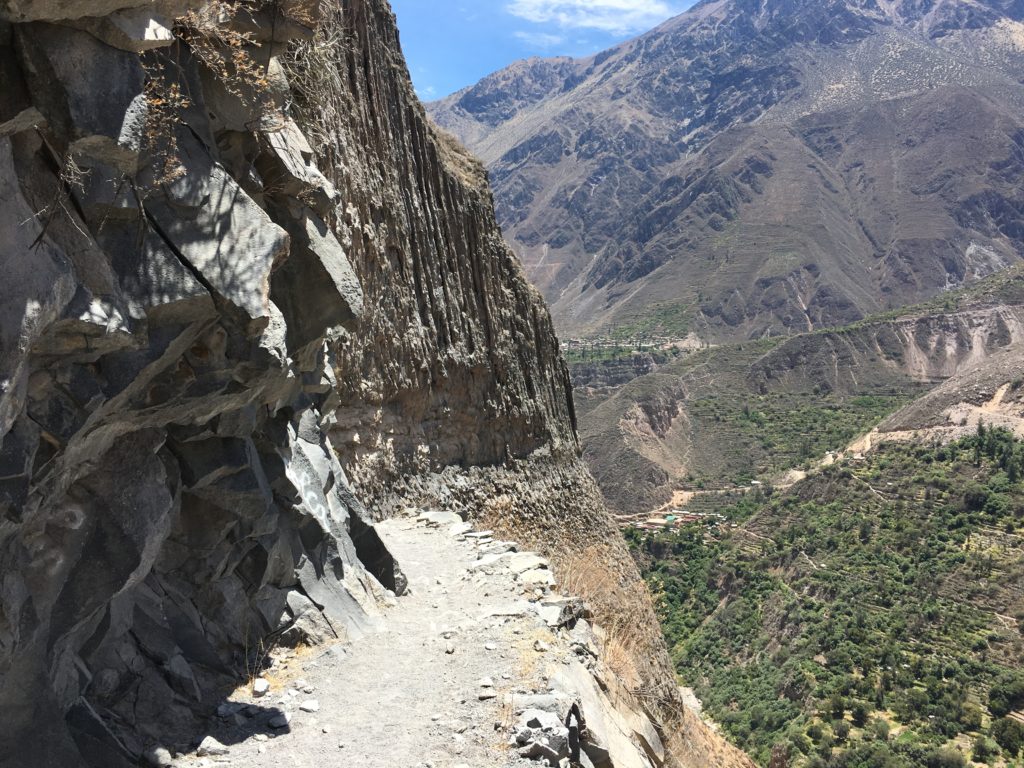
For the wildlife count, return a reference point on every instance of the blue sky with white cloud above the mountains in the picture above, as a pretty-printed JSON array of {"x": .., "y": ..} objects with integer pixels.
[{"x": 453, "y": 44}]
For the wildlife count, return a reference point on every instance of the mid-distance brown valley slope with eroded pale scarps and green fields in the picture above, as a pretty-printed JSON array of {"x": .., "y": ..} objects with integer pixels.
[{"x": 756, "y": 410}]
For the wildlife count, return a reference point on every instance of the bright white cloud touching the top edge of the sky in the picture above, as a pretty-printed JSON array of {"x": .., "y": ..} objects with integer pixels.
[{"x": 616, "y": 17}]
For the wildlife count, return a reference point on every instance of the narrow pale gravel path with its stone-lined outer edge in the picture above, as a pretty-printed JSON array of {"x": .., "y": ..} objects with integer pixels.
[{"x": 462, "y": 663}]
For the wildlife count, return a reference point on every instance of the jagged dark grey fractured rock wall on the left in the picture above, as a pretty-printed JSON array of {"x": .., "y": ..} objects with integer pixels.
[{"x": 170, "y": 502}]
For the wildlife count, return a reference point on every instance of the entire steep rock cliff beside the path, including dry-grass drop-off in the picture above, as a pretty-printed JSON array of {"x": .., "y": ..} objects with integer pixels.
[{"x": 251, "y": 303}]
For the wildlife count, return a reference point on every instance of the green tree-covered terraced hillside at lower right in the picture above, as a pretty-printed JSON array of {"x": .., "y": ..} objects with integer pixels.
[{"x": 871, "y": 617}]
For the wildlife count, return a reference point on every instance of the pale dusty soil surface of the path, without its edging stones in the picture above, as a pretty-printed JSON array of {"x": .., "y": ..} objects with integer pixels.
[{"x": 399, "y": 699}]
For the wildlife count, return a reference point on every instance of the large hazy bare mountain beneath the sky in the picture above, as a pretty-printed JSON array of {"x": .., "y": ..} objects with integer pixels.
[{"x": 758, "y": 167}]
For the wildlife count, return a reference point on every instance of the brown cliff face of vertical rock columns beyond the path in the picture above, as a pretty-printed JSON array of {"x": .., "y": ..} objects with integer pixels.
[{"x": 455, "y": 361}]
